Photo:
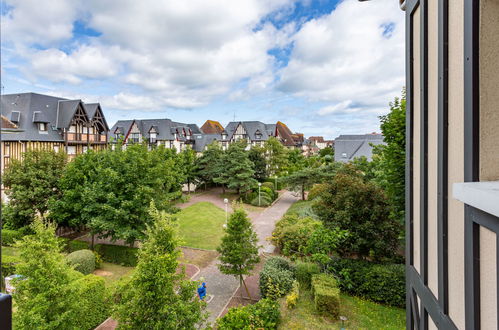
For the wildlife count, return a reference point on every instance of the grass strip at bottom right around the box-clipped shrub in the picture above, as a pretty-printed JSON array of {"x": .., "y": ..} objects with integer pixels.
[{"x": 361, "y": 314}]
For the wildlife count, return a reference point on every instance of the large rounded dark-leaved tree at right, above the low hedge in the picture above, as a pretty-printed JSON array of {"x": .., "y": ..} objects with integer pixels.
[{"x": 350, "y": 203}]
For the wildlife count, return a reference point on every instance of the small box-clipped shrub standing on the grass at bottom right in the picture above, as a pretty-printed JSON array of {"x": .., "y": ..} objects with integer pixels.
[{"x": 326, "y": 294}]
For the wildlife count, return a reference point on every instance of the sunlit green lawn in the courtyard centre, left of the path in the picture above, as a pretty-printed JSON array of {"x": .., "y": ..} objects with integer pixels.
[{"x": 201, "y": 225}]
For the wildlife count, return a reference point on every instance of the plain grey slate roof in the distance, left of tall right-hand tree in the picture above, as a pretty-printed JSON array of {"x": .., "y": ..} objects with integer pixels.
[{"x": 348, "y": 147}]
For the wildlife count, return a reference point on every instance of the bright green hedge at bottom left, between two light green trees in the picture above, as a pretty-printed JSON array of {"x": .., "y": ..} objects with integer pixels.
[{"x": 92, "y": 307}]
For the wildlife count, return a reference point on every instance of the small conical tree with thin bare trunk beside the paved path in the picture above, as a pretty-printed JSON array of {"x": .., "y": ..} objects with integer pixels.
[{"x": 239, "y": 249}]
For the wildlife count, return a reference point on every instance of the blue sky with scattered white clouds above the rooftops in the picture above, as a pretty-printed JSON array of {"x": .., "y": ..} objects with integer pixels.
[{"x": 322, "y": 67}]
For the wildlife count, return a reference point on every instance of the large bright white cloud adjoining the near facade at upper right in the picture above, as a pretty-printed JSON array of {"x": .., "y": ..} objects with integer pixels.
[{"x": 345, "y": 56}]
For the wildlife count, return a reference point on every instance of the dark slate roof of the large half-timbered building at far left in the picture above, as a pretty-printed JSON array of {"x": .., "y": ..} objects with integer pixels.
[{"x": 26, "y": 110}]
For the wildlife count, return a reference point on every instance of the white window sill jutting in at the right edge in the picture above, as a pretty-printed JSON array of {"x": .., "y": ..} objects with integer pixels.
[{"x": 481, "y": 195}]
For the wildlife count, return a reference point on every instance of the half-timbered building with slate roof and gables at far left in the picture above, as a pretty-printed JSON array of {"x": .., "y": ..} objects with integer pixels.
[{"x": 35, "y": 121}]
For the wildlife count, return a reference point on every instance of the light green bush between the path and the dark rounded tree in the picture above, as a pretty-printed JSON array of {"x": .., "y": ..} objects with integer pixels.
[{"x": 291, "y": 234}]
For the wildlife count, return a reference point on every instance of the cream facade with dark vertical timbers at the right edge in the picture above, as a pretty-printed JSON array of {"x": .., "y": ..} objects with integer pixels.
[{"x": 452, "y": 217}]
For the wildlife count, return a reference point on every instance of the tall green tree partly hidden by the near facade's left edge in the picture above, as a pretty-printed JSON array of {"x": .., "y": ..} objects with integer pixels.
[{"x": 390, "y": 160}]
